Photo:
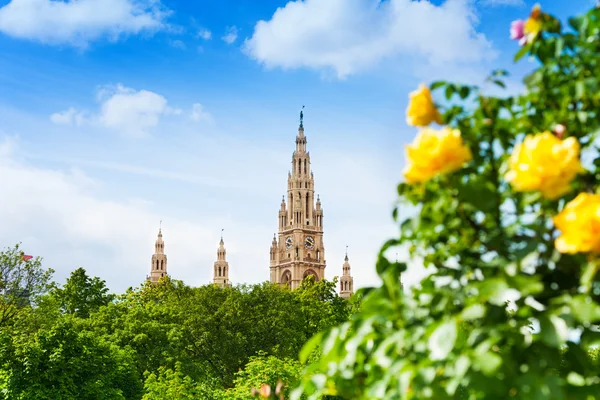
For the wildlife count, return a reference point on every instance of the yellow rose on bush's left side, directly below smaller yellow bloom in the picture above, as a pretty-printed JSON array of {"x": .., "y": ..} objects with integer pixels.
[{"x": 435, "y": 152}]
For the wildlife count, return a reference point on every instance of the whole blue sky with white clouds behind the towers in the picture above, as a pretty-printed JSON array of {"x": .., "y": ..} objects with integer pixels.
[{"x": 117, "y": 114}]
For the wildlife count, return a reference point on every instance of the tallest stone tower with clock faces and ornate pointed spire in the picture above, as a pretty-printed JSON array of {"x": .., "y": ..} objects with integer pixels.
[{"x": 299, "y": 250}]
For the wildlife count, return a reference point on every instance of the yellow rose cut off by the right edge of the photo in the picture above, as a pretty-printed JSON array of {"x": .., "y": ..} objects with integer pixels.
[{"x": 579, "y": 223}]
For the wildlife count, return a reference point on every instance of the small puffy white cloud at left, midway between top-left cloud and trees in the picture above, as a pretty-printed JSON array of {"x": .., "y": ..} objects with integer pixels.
[{"x": 127, "y": 110}]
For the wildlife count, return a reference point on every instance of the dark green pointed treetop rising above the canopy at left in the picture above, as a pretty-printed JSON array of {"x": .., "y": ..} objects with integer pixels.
[{"x": 82, "y": 295}]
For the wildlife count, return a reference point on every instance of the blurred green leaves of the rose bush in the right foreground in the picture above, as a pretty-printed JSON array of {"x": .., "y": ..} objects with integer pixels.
[{"x": 455, "y": 336}]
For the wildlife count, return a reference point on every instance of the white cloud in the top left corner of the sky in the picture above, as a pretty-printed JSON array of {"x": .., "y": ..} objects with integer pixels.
[{"x": 79, "y": 22}]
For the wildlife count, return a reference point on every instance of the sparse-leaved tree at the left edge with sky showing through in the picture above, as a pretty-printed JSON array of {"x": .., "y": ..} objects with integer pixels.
[{"x": 21, "y": 283}]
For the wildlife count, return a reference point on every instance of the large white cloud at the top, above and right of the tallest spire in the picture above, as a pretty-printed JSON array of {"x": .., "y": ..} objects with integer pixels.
[{"x": 349, "y": 36}]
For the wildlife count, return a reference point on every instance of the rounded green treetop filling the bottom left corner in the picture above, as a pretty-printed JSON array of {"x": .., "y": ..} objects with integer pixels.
[{"x": 65, "y": 362}]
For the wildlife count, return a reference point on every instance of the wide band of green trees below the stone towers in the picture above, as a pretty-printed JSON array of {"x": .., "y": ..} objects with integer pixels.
[{"x": 165, "y": 340}]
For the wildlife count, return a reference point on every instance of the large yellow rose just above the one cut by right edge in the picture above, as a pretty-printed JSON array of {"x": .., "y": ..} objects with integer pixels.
[{"x": 544, "y": 162}]
